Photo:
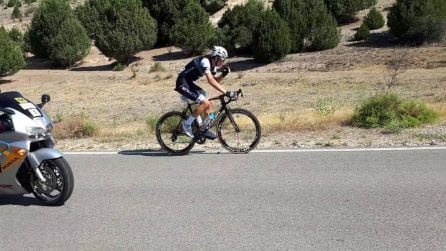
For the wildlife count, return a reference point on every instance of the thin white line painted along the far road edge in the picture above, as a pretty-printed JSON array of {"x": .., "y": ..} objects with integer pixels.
[{"x": 282, "y": 150}]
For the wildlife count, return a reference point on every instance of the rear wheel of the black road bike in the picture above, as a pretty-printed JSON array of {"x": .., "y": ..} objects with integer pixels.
[{"x": 170, "y": 135}]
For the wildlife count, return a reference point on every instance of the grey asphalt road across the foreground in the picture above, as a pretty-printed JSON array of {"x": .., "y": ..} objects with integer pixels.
[{"x": 360, "y": 200}]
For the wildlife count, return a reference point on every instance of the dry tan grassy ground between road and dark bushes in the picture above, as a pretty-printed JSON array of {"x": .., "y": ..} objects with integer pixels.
[{"x": 120, "y": 103}]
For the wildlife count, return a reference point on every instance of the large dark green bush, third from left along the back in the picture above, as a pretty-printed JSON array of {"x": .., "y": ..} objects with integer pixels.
[{"x": 120, "y": 28}]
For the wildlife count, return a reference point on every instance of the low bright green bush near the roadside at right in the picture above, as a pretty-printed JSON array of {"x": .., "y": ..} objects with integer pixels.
[{"x": 390, "y": 111}]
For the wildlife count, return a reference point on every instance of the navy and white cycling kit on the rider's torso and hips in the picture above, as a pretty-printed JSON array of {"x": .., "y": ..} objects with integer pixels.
[{"x": 192, "y": 71}]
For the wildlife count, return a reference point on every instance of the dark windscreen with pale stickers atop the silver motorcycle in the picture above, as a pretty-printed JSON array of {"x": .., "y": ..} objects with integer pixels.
[{"x": 16, "y": 101}]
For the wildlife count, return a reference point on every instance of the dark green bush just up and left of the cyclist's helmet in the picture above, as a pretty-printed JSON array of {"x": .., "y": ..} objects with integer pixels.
[{"x": 192, "y": 30}]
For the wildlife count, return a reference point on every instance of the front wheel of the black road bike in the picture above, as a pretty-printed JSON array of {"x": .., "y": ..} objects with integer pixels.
[{"x": 239, "y": 131}]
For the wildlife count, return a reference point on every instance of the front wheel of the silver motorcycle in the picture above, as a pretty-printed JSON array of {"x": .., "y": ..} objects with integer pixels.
[{"x": 59, "y": 183}]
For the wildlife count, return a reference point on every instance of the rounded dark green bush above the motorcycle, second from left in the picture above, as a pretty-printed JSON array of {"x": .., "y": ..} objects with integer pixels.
[{"x": 55, "y": 34}]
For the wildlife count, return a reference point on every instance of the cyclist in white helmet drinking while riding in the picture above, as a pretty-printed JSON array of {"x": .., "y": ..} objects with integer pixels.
[{"x": 206, "y": 65}]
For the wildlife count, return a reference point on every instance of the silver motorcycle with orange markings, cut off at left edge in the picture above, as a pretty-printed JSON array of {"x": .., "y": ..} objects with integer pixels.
[{"x": 28, "y": 161}]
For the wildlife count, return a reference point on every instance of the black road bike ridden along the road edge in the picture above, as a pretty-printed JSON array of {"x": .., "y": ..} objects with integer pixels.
[{"x": 238, "y": 130}]
